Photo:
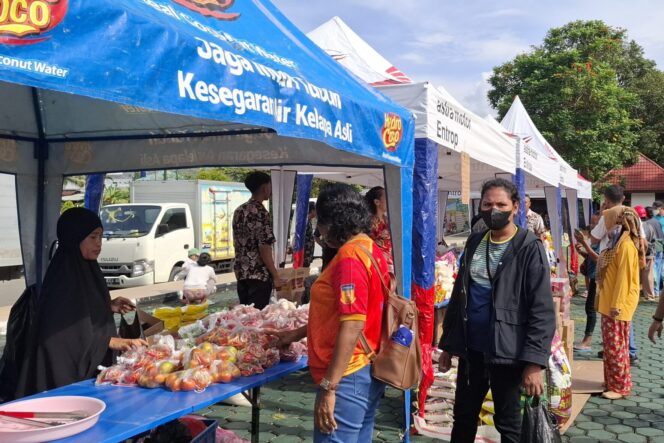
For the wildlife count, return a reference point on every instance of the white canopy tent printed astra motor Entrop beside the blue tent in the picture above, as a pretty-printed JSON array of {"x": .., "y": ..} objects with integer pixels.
[{"x": 470, "y": 151}]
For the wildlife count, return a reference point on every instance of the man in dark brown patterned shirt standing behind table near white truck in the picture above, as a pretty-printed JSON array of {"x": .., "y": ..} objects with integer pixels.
[{"x": 253, "y": 238}]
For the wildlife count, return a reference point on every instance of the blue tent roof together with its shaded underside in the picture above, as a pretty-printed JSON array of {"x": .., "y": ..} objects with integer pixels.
[{"x": 179, "y": 68}]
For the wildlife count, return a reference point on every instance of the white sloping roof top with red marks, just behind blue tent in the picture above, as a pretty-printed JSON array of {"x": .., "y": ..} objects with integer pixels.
[{"x": 342, "y": 43}]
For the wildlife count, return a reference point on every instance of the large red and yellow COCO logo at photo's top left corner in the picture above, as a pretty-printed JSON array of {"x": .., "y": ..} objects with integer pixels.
[{"x": 24, "y": 21}]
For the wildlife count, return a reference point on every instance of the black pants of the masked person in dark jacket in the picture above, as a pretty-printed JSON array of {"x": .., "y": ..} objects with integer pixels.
[{"x": 473, "y": 382}]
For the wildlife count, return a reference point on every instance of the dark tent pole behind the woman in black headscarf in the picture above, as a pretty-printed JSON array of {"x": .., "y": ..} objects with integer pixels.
[{"x": 40, "y": 154}]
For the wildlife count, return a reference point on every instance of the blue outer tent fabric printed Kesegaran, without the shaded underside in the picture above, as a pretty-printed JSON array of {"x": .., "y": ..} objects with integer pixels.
[{"x": 226, "y": 60}]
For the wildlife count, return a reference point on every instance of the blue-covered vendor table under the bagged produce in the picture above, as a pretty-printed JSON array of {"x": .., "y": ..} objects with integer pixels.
[{"x": 132, "y": 410}]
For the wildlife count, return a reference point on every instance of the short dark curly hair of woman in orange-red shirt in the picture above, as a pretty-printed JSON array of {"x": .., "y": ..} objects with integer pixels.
[{"x": 344, "y": 211}]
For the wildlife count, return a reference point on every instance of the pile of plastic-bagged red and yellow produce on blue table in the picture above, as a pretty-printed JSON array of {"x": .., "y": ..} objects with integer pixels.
[{"x": 215, "y": 349}]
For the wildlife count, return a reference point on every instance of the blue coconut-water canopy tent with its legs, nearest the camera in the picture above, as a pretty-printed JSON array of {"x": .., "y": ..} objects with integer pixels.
[{"x": 134, "y": 86}]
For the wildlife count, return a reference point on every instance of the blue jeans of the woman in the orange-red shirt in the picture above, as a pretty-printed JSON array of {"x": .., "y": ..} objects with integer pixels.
[{"x": 357, "y": 398}]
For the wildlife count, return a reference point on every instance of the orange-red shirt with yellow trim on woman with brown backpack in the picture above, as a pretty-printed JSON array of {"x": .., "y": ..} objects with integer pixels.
[{"x": 348, "y": 289}]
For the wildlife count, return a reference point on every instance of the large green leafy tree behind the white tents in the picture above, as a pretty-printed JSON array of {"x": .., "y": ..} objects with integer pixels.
[{"x": 579, "y": 88}]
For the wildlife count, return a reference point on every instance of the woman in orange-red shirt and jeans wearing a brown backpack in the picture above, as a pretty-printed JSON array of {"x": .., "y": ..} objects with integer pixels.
[{"x": 346, "y": 300}]
